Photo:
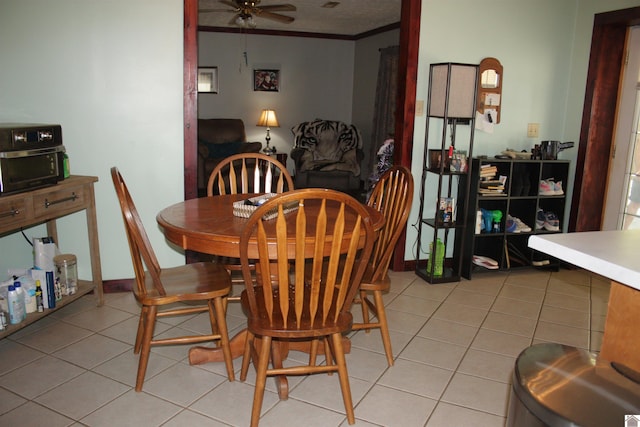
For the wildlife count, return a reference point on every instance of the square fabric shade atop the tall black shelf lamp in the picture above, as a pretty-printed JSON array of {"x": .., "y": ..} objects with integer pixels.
[{"x": 458, "y": 81}]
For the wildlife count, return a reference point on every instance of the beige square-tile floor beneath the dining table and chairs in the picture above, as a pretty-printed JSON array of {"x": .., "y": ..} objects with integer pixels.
[{"x": 455, "y": 346}]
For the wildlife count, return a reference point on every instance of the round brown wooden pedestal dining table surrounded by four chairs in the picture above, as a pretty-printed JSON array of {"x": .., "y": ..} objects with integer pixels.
[{"x": 208, "y": 225}]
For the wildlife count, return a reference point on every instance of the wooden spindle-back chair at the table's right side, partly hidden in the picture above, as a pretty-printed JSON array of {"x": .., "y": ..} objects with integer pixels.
[{"x": 392, "y": 196}]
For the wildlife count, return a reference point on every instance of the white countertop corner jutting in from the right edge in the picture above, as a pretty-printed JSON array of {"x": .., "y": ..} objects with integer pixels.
[{"x": 612, "y": 254}]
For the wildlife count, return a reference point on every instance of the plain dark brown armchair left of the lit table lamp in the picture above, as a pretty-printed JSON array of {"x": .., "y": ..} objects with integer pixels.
[{"x": 217, "y": 140}]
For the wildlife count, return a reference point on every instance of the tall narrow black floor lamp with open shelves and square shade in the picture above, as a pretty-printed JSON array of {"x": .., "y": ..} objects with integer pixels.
[{"x": 450, "y": 105}]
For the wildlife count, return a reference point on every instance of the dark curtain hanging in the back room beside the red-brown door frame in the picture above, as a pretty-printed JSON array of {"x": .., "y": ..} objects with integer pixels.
[{"x": 385, "y": 104}]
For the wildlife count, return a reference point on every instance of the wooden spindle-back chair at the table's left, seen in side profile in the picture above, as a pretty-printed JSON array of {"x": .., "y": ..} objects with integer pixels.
[{"x": 205, "y": 283}]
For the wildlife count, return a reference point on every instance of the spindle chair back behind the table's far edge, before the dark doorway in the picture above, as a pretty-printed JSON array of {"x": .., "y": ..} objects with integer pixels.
[{"x": 247, "y": 173}]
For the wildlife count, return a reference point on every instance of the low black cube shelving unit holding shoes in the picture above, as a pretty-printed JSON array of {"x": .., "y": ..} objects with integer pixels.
[{"x": 520, "y": 198}]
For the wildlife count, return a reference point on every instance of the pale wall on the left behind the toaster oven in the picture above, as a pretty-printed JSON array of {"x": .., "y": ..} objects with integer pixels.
[{"x": 111, "y": 75}]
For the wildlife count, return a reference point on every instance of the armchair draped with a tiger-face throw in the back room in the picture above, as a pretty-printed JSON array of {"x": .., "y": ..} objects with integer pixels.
[{"x": 327, "y": 154}]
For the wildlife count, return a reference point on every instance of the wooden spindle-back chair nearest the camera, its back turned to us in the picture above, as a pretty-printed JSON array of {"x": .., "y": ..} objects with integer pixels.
[{"x": 282, "y": 302}]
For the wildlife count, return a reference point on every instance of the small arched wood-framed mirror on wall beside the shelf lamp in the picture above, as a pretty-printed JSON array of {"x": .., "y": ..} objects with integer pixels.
[{"x": 489, "y": 100}]
